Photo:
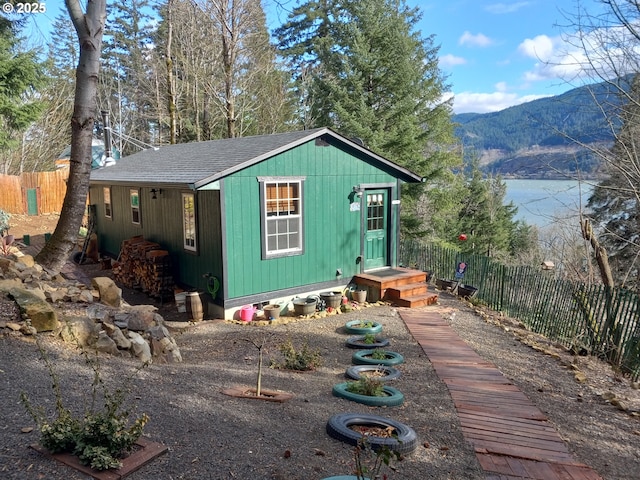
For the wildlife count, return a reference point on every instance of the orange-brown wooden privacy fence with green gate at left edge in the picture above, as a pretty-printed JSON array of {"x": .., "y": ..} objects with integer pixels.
[{"x": 33, "y": 193}]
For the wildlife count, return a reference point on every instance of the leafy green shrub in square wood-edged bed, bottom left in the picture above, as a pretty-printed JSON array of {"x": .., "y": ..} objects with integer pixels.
[{"x": 100, "y": 437}]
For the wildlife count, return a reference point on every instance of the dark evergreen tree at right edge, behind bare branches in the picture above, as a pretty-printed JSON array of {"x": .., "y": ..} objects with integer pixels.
[{"x": 615, "y": 202}]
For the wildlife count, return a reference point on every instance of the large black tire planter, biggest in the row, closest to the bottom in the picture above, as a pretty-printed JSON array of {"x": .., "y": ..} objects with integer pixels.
[{"x": 405, "y": 440}]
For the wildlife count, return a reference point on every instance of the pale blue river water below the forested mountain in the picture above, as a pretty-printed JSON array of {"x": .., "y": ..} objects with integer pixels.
[{"x": 545, "y": 202}]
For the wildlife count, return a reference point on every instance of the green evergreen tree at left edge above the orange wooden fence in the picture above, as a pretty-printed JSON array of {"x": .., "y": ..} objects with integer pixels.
[{"x": 20, "y": 75}]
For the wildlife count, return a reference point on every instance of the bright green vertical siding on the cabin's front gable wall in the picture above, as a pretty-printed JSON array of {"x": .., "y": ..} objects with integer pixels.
[{"x": 332, "y": 231}]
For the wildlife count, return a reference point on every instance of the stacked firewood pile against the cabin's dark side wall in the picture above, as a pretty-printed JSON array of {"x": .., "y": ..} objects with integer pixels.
[{"x": 145, "y": 266}]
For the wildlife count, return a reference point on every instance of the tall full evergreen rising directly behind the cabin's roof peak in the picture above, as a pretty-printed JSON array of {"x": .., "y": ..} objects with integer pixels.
[{"x": 364, "y": 70}]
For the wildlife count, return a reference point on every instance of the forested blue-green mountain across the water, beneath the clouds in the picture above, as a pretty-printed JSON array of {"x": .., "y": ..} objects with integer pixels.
[{"x": 539, "y": 138}]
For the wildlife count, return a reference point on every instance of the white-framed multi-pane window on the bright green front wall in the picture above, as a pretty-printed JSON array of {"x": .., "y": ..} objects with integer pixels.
[{"x": 282, "y": 216}]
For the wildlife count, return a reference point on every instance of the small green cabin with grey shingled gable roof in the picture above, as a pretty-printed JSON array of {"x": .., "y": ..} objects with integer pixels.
[{"x": 265, "y": 218}]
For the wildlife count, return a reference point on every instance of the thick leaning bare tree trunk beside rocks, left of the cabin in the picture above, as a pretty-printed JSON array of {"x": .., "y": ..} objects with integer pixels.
[{"x": 90, "y": 28}]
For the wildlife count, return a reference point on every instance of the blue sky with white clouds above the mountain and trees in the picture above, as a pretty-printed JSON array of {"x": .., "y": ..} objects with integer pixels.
[{"x": 496, "y": 54}]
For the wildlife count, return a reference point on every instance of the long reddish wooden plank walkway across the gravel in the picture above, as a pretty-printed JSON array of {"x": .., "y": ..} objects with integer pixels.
[{"x": 512, "y": 438}]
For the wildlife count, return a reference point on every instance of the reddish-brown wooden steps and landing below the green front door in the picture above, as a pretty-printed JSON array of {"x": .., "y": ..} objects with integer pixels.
[{"x": 403, "y": 287}]
